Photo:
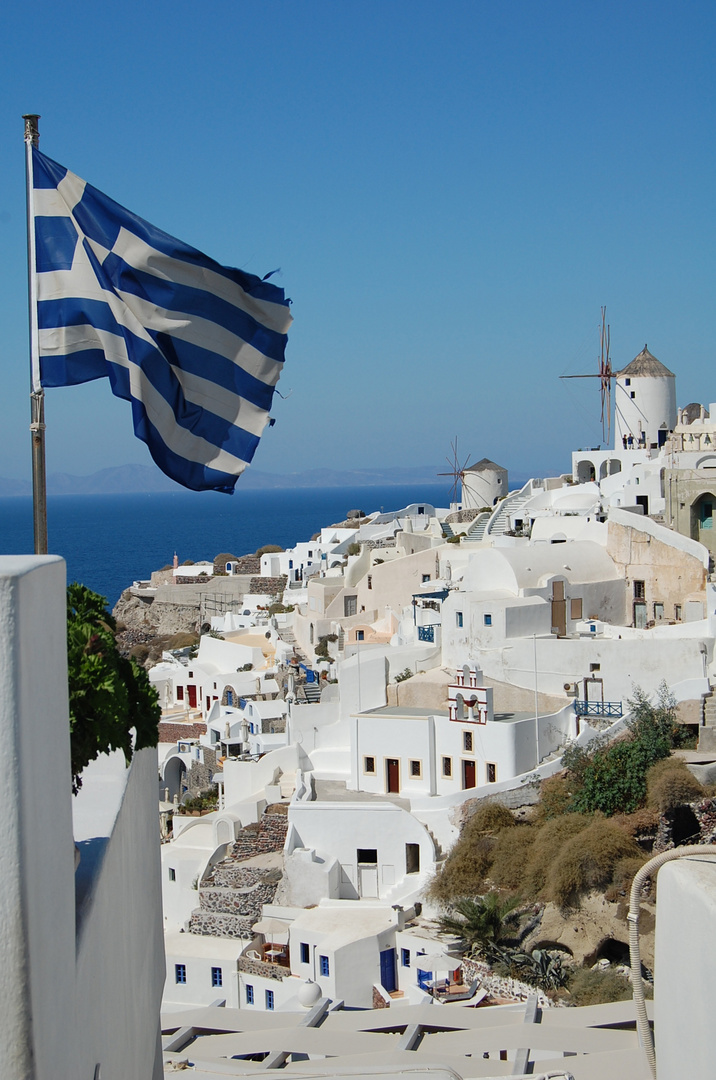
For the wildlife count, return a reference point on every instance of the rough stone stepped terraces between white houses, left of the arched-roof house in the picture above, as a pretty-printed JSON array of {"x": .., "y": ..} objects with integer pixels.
[{"x": 232, "y": 898}]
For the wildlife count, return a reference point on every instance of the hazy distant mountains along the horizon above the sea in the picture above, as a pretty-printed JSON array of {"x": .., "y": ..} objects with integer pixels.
[{"x": 128, "y": 480}]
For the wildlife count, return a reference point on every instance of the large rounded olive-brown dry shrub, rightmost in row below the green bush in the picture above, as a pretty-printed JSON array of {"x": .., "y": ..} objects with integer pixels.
[{"x": 588, "y": 861}]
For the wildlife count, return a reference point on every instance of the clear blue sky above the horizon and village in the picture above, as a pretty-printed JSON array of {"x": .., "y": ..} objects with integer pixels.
[{"x": 451, "y": 191}]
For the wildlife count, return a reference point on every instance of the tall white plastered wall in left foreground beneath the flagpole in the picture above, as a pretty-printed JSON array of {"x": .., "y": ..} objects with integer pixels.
[{"x": 83, "y": 971}]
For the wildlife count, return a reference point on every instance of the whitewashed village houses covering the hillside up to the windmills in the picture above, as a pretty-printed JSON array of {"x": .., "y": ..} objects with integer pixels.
[{"x": 341, "y": 779}]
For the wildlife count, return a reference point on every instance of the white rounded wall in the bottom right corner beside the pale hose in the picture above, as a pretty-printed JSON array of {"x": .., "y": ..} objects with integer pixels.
[{"x": 685, "y": 969}]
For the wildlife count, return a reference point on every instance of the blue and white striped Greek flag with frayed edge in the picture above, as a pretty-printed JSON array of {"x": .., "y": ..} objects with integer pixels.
[{"x": 196, "y": 347}]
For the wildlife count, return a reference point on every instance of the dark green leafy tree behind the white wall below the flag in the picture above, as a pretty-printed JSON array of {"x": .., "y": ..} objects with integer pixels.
[{"x": 110, "y": 695}]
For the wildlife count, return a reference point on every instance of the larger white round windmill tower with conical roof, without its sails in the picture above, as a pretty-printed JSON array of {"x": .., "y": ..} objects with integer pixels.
[{"x": 645, "y": 404}]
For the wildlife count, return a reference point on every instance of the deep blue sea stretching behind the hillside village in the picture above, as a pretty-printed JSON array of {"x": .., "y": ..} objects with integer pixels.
[{"x": 109, "y": 542}]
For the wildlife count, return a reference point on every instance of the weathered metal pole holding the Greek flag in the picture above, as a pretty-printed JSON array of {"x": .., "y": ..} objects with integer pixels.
[{"x": 37, "y": 394}]
